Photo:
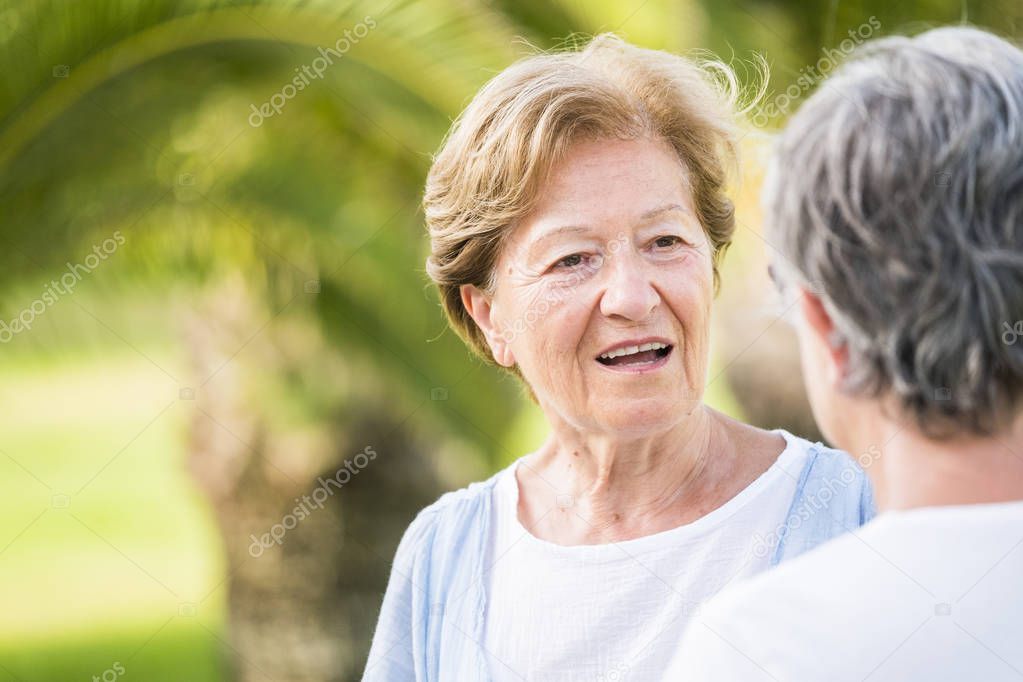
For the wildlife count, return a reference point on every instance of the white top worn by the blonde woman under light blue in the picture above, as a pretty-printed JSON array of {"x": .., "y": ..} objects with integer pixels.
[{"x": 616, "y": 612}]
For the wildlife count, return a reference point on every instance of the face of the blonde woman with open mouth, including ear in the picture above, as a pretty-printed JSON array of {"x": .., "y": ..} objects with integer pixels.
[{"x": 613, "y": 256}]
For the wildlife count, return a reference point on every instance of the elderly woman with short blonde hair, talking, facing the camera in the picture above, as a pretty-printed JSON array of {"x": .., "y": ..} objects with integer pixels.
[{"x": 577, "y": 218}]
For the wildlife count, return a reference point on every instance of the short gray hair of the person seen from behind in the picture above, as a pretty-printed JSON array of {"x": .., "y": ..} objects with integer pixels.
[{"x": 897, "y": 195}]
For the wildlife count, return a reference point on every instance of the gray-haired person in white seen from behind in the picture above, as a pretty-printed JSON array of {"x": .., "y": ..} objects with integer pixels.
[{"x": 897, "y": 198}]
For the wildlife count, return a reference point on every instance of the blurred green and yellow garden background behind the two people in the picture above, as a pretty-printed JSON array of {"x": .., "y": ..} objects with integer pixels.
[{"x": 213, "y": 296}]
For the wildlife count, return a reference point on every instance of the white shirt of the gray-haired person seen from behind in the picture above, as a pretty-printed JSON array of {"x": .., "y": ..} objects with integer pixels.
[{"x": 932, "y": 595}]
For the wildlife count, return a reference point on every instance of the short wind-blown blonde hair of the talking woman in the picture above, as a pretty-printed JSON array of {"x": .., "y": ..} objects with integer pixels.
[{"x": 497, "y": 157}]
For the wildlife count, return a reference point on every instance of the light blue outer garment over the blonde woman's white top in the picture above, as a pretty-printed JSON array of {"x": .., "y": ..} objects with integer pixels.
[{"x": 431, "y": 623}]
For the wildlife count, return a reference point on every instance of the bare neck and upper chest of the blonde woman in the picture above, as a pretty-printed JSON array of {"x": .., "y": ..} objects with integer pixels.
[{"x": 595, "y": 489}]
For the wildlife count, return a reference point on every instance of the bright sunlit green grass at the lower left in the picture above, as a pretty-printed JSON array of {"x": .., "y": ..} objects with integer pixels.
[{"x": 108, "y": 552}]
